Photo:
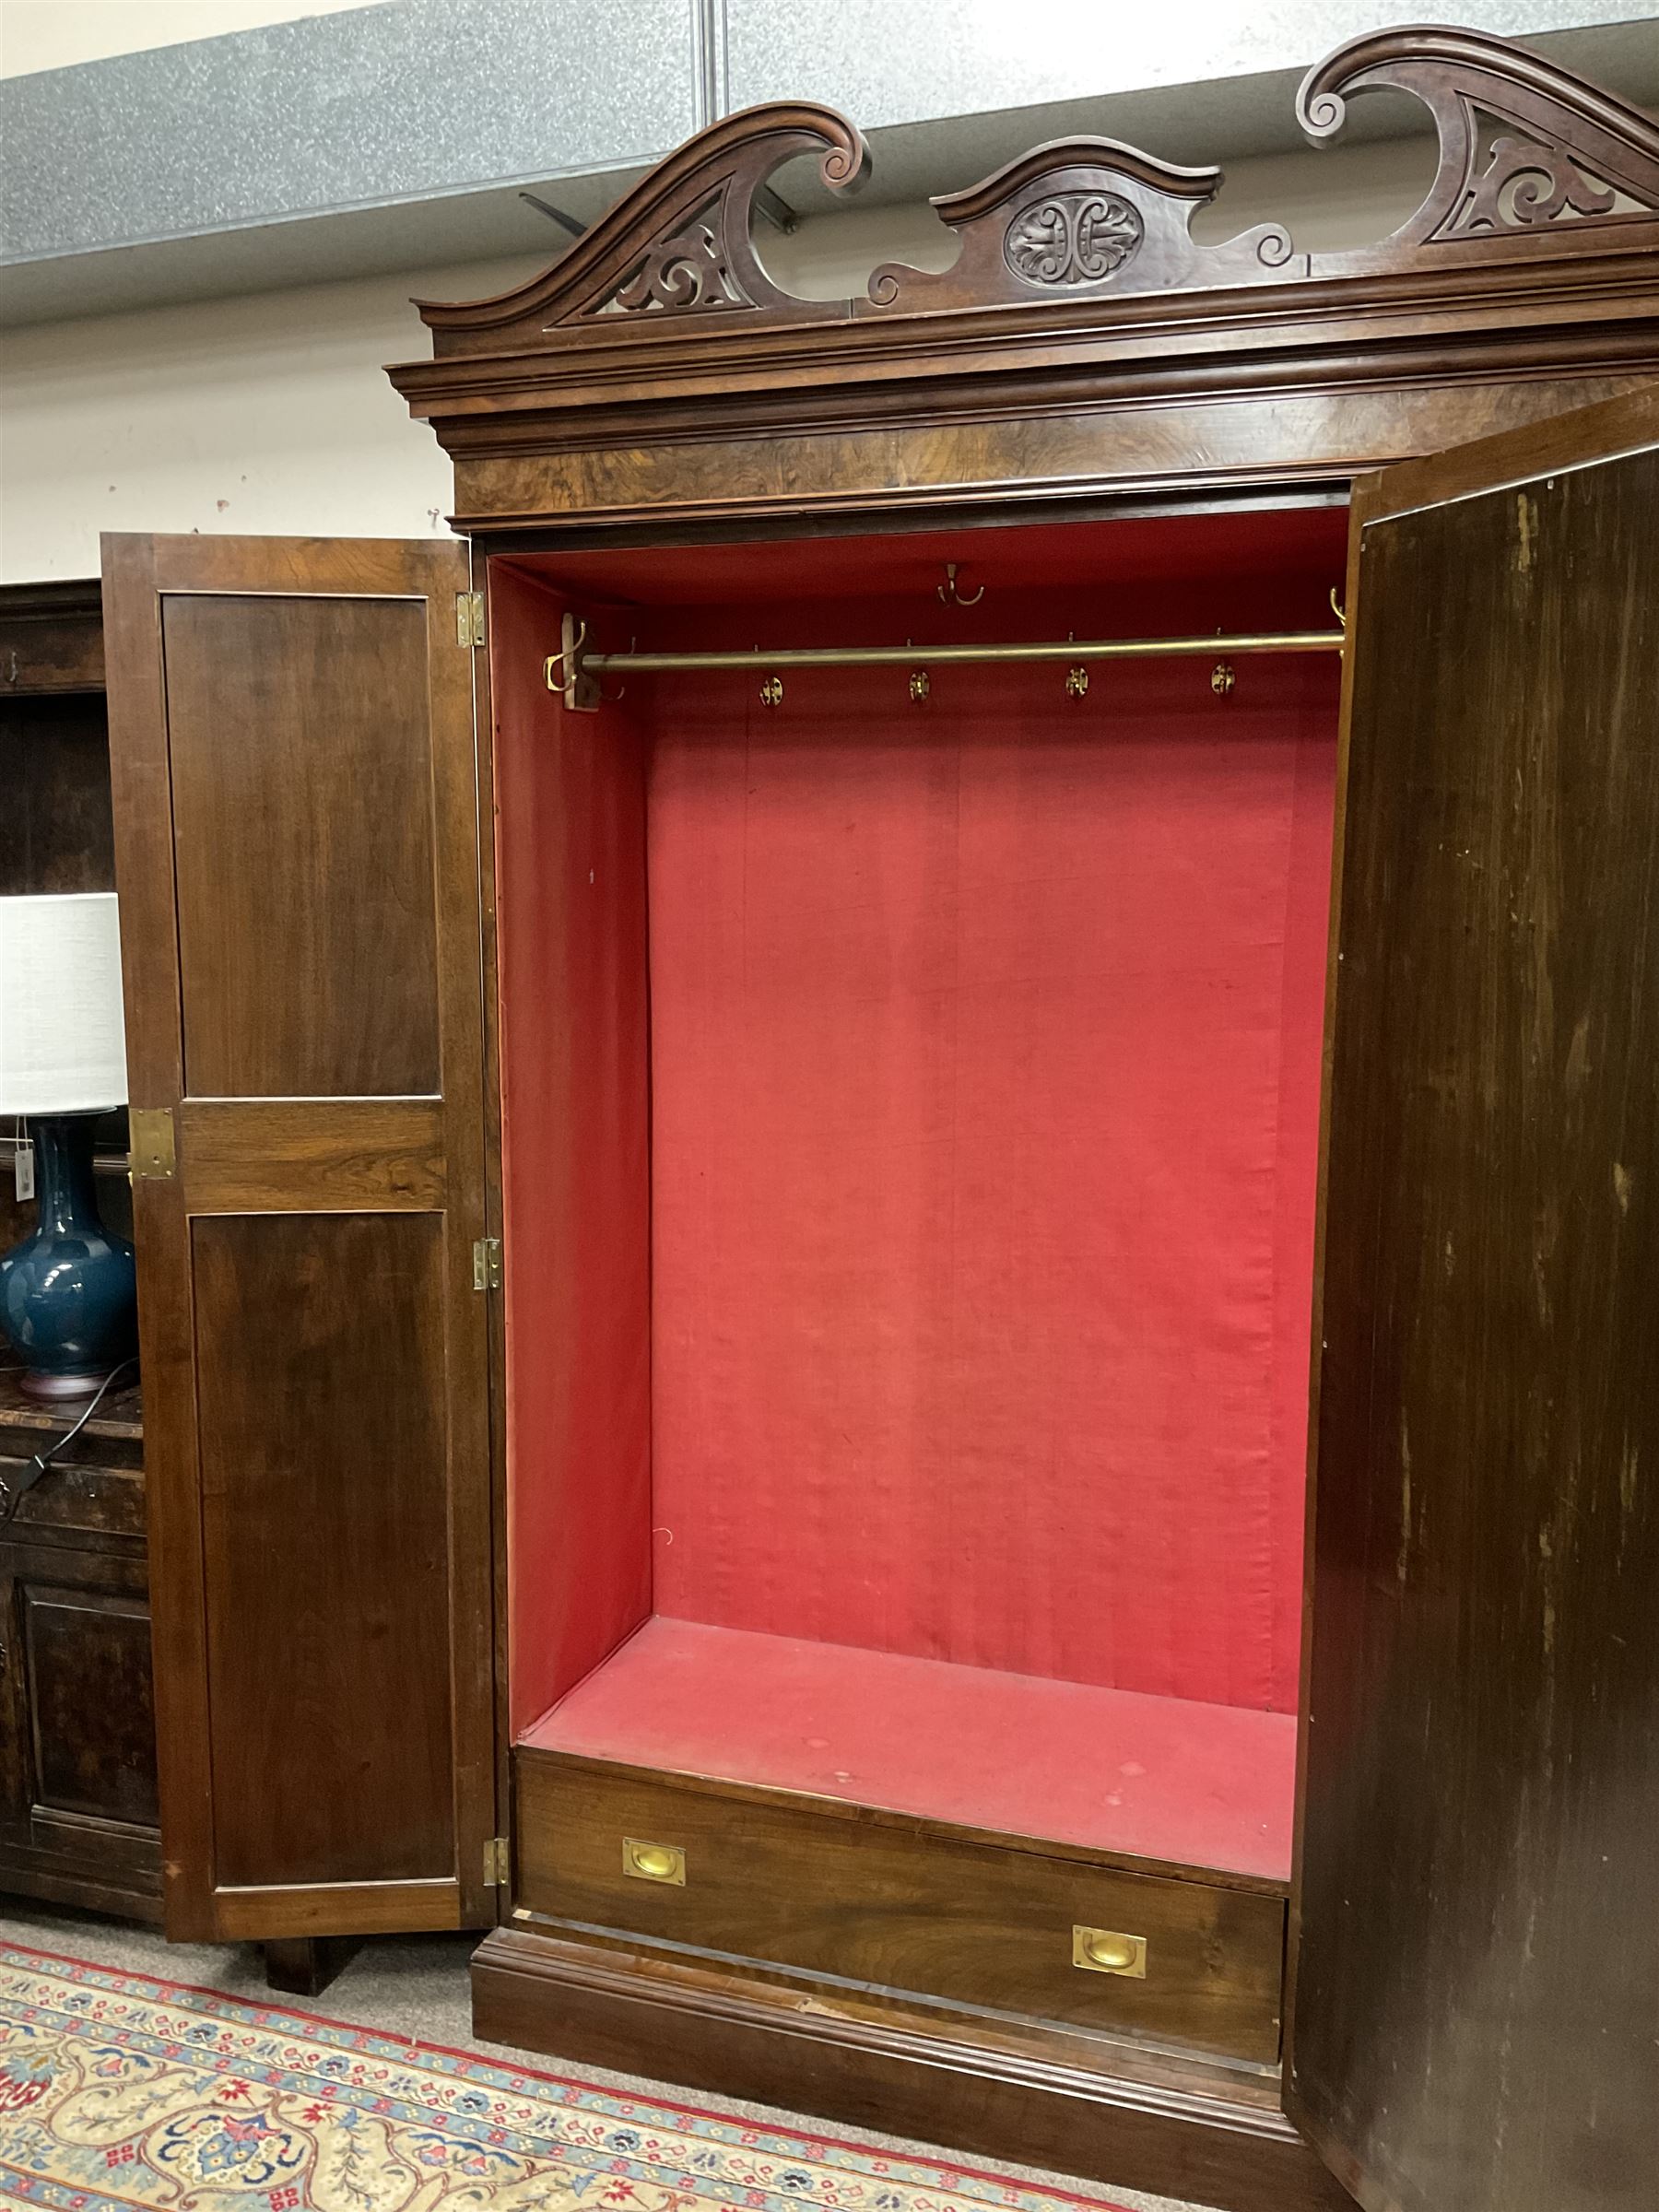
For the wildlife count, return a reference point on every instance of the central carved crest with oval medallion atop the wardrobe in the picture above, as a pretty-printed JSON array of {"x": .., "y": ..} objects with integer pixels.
[{"x": 1081, "y": 216}]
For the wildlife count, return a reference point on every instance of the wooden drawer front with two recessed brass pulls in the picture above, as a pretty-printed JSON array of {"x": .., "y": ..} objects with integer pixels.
[{"x": 881, "y": 1903}]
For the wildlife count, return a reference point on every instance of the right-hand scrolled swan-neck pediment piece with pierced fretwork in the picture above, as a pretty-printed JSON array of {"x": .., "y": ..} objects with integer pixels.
[{"x": 1523, "y": 145}]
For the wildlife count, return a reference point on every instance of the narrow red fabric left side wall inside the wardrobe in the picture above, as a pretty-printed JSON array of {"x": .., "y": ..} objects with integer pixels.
[{"x": 576, "y": 1120}]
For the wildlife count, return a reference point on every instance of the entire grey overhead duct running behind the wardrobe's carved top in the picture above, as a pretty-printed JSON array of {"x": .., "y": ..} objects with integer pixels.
[{"x": 401, "y": 136}]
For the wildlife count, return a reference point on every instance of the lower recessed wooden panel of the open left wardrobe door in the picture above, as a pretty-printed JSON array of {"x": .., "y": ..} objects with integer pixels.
[{"x": 322, "y": 1434}]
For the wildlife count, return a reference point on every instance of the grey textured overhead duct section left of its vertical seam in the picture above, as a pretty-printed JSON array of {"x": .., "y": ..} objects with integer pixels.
[{"x": 337, "y": 112}]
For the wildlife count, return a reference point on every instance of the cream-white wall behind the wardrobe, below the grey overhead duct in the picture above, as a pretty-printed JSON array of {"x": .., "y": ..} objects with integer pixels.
[{"x": 273, "y": 413}]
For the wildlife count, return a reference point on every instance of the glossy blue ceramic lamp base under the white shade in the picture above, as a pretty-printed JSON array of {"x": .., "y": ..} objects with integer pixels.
[{"x": 67, "y": 1293}]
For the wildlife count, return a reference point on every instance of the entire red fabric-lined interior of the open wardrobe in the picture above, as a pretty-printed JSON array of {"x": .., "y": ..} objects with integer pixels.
[{"x": 910, "y": 1154}]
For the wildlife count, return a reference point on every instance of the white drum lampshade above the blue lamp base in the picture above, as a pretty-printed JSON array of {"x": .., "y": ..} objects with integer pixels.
[{"x": 63, "y": 1047}]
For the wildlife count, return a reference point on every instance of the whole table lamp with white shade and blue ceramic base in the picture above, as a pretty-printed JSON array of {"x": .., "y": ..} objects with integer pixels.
[{"x": 67, "y": 1293}]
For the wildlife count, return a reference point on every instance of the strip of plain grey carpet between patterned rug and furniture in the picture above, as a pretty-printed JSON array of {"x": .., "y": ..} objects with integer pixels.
[{"x": 415, "y": 1985}]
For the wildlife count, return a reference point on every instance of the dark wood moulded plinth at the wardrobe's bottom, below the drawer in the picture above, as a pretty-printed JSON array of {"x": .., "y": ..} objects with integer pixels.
[{"x": 1072, "y": 2103}]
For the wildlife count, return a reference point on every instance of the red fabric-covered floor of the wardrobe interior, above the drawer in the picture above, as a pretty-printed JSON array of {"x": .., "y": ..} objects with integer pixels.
[{"x": 1165, "y": 1780}]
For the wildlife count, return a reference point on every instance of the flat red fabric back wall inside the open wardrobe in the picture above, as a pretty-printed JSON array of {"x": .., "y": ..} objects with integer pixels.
[{"x": 985, "y": 1085}]
